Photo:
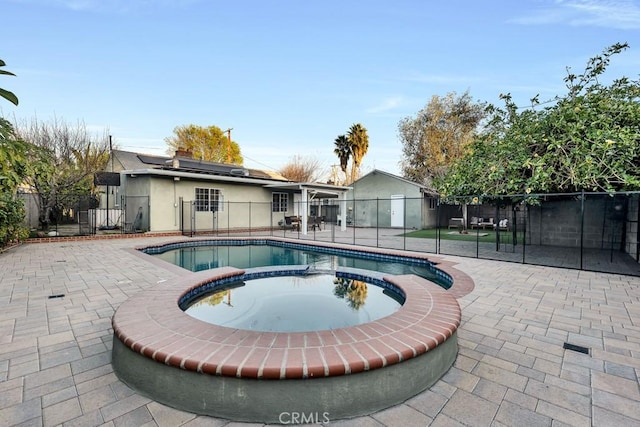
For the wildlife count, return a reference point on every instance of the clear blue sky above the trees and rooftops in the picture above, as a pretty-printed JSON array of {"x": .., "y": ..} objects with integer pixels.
[{"x": 290, "y": 76}]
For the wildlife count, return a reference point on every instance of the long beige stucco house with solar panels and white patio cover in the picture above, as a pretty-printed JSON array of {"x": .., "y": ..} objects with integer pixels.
[{"x": 159, "y": 194}]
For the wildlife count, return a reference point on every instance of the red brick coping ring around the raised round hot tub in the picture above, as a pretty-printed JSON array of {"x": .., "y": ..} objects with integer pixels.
[{"x": 152, "y": 324}]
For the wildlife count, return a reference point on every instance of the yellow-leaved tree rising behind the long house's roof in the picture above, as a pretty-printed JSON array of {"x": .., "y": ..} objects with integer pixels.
[{"x": 210, "y": 144}]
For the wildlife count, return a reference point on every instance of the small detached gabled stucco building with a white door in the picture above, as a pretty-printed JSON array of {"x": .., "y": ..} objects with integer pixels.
[{"x": 386, "y": 200}]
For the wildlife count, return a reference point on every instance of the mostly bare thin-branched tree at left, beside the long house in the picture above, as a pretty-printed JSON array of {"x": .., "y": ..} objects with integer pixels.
[{"x": 64, "y": 160}]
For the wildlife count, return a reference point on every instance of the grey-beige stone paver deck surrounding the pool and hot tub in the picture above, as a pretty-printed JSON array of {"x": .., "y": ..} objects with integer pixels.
[{"x": 512, "y": 369}]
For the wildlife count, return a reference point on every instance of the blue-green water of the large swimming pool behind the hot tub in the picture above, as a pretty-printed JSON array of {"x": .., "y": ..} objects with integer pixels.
[{"x": 197, "y": 258}]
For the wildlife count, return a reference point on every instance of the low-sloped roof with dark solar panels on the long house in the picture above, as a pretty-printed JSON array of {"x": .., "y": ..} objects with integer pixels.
[{"x": 130, "y": 161}]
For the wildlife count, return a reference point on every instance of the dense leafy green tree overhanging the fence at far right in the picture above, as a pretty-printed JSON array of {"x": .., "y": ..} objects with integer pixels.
[{"x": 588, "y": 139}]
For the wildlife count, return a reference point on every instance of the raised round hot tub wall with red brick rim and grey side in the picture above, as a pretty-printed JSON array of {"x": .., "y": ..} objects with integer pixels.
[{"x": 264, "y": 376}]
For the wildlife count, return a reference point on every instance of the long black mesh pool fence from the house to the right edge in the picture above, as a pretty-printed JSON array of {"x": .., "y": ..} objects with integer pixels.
[{"x": 585, "y": 231}]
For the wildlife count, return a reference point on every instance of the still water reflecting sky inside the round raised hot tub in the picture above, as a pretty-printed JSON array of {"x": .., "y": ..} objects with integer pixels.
[{"x": 295, "y": 304}]
